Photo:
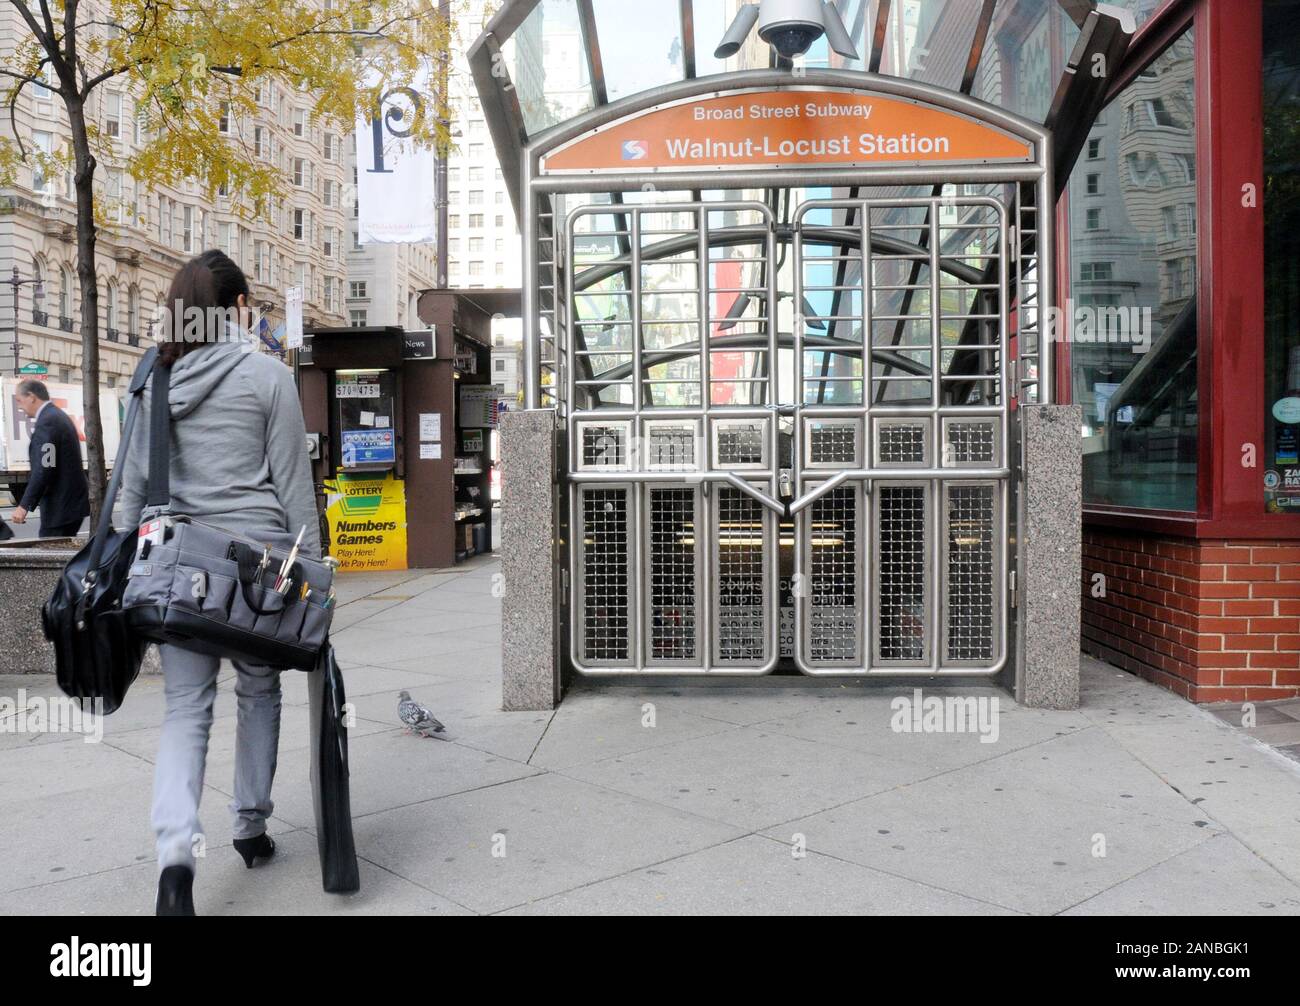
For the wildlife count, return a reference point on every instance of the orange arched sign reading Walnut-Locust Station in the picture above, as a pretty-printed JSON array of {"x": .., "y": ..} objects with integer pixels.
[{"x": 787, "y": 129}]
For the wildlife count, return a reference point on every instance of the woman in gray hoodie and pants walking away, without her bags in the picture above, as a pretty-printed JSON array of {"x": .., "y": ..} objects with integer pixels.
[{"x": 237, "y": 462}]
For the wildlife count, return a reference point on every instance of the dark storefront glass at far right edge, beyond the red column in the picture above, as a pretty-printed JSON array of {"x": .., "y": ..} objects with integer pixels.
[{"x": 1281, "y": 203}]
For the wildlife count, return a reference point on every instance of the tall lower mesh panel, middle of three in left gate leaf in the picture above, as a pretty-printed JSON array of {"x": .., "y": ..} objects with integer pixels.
[{"x": 673, "y": 574}]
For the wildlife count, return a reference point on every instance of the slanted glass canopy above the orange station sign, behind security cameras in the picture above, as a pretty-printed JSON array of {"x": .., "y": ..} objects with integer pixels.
[{"x": 569, "y": 57}]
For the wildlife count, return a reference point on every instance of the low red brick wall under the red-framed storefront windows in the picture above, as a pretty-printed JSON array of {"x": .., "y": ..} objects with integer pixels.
[{"x": 1214, "y": 621}]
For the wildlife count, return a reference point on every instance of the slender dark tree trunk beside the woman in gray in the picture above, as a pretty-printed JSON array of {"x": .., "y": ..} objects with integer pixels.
[{"x": 84, "y": 181}]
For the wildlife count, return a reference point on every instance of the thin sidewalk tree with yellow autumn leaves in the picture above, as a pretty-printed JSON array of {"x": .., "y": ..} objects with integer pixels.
[{"x": 192, "y": 66}]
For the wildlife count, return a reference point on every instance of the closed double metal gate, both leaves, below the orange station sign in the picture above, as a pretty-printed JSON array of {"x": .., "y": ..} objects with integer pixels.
[{"x": 840, "y": 445}]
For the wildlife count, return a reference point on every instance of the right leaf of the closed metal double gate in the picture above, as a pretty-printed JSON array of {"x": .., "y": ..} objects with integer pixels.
[{"x": 902, "y": 463}]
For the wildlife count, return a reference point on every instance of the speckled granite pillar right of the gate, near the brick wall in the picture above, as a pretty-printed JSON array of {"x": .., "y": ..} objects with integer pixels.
[{"x": 1050, "y": 557}]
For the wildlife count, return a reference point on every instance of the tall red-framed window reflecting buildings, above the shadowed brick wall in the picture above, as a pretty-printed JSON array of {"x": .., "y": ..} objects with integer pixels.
[{"x": 1132, "y": 315}]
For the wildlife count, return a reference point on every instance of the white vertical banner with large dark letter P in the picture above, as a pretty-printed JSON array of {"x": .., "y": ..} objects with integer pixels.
[{"x": 397, "y": 179}]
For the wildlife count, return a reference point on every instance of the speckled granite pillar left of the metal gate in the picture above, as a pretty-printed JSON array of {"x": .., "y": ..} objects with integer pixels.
[{"x": 531, "y": 670}]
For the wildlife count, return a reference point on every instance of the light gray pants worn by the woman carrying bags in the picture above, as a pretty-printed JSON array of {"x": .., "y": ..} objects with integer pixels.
[{"x": 190, "y": 683}]
